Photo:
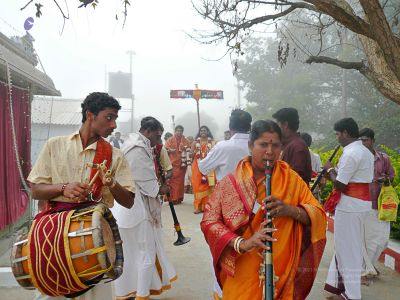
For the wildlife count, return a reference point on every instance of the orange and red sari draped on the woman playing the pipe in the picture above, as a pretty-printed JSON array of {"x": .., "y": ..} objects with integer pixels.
[{"x": 296, "y": 254}]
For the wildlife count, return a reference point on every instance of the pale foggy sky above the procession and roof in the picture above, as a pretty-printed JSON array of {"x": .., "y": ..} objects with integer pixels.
[{"x": 93, "y": 42}]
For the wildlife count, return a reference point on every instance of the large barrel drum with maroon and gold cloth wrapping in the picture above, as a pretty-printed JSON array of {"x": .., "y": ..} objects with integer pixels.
[{"x": 67, "y": 252}]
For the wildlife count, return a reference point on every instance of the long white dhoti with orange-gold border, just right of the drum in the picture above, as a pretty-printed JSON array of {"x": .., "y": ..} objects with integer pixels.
[{"x": 147, "y": 270}]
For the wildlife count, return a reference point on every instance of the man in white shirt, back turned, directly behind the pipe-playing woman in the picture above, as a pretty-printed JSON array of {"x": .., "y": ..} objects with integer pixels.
[{"x": 225, "y": 155}]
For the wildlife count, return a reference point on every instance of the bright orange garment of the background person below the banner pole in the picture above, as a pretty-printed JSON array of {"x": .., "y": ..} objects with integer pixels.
[{"x": 202, "y": 185}]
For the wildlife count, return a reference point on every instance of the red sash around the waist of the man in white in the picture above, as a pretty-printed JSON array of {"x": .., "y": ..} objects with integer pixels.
[{"x": 353, "y": 189}]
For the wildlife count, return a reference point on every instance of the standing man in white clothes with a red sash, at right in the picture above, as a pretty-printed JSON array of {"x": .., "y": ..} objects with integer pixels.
[{"x": 351, "y": 182}]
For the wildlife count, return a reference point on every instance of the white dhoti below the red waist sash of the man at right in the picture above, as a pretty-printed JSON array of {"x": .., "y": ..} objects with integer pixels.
[{"x": 344, "y": 275}]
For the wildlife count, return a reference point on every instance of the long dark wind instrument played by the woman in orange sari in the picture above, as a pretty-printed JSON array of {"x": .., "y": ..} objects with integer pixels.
[{"x": 268, "y": 264}]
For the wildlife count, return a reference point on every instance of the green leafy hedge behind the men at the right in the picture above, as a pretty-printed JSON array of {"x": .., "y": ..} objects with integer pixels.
[{"x": 395, "y": 159}]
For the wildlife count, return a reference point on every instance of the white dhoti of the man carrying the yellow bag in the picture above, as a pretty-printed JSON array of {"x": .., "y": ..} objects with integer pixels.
[{"x": 376, "y": 237}]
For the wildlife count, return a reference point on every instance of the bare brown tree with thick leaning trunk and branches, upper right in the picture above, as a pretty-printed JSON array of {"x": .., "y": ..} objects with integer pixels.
[{"x": 375, "y": 24}]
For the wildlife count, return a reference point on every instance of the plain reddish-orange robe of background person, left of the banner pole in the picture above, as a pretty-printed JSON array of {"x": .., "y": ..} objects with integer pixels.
[{"x": 177, "y": 180}]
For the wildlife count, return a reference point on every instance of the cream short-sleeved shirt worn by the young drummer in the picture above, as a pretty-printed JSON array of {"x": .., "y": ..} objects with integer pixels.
[{"x": 63, "y": 160}]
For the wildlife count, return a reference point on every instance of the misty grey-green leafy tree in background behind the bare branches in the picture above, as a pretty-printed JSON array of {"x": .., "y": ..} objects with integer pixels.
[{"x": 316, "y": 92}]
